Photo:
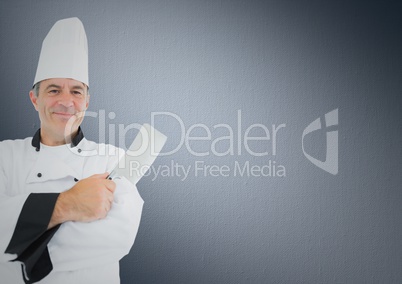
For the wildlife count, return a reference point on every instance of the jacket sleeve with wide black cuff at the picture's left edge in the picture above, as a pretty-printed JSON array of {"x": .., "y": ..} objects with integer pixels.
[{"x": 23, "y": 222}]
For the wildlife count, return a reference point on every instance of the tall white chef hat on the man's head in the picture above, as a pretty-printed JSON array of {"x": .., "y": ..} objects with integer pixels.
[{"x": 64, "y": 52}]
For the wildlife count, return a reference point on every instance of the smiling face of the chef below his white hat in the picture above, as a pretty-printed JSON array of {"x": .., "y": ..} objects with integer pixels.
[{"x": 61, "y": 104}]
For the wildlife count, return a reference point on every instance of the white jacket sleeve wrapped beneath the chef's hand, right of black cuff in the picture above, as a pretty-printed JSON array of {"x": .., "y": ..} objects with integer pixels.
[{"x": 78, "y": 245}]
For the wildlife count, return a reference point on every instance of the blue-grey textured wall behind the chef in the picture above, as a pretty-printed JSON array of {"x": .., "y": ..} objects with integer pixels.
[{"x": 279, "y": 62}]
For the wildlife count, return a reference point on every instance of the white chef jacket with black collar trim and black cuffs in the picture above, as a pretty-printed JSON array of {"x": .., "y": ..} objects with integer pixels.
[{"x": 31, "y": 176}]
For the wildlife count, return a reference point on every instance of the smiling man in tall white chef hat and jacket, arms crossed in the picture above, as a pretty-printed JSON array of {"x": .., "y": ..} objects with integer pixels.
[{"x": 61, "y": 219}]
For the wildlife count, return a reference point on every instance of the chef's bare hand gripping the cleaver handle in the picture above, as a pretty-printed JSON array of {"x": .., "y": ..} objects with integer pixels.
[{"x": 89, "y": 200}]
